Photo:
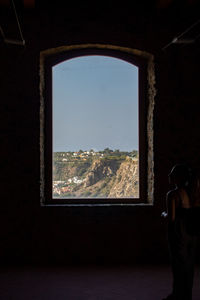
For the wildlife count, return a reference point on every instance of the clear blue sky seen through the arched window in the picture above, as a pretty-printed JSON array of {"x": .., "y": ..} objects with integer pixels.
[{"x": 95, "y": 104}]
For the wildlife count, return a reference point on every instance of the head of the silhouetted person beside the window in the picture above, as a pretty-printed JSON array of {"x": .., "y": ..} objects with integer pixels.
[{"x": 180, "y": 175}]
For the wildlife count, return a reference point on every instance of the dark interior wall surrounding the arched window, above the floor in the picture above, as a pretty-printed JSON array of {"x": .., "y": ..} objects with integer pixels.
[{"x": 116, "y": 234}]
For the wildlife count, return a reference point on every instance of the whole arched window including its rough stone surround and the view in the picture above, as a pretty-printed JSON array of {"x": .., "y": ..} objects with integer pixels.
[{"x": 96, "y": 125}]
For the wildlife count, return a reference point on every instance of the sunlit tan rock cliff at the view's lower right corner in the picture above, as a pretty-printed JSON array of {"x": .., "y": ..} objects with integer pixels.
[{"x": 126, "y": 182}]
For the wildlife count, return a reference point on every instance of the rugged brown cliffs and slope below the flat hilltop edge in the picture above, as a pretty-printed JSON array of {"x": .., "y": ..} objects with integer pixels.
[{"x": 105, "y": 178}]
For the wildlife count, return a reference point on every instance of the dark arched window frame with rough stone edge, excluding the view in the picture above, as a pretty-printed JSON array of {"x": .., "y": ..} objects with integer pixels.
[{"x": 144, "y": 62}]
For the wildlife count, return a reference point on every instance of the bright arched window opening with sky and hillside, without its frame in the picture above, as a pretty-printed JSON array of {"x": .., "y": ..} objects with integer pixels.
[{"x": 95, "y": 128}]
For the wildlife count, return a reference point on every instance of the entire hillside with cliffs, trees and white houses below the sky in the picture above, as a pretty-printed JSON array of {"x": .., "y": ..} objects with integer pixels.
[{"x": 104, "y": 174}]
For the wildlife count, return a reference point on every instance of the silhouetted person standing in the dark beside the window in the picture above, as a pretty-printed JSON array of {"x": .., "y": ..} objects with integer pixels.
[{"x": 181, "y": 242}]
